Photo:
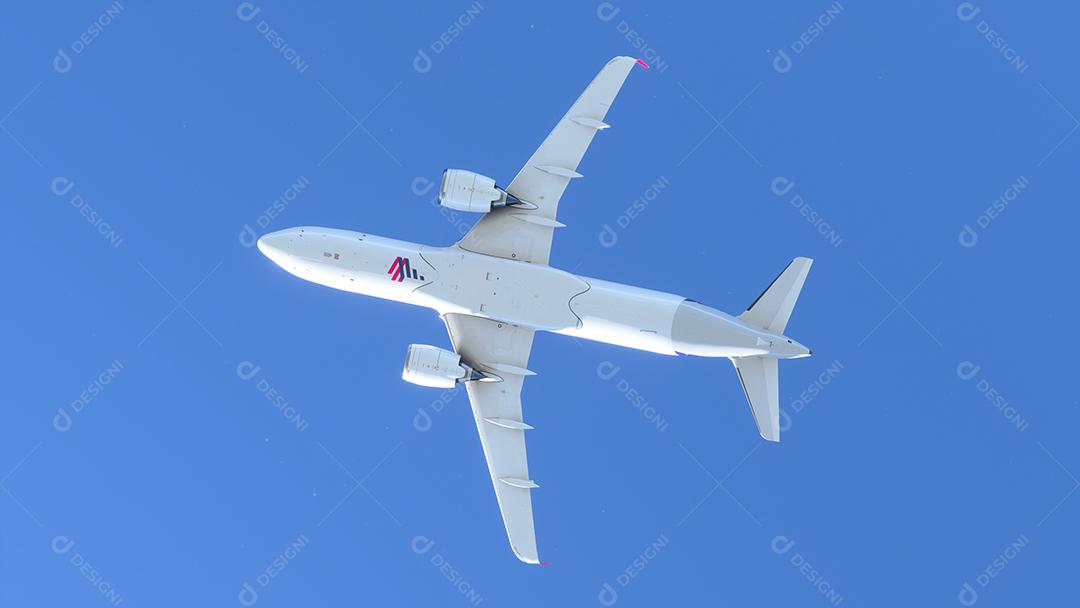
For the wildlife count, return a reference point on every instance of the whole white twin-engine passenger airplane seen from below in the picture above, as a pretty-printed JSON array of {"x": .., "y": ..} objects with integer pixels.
[{"x": 494, "y": 290}]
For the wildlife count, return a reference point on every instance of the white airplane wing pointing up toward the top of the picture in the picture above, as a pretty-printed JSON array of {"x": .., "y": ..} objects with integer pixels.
[{"x": 525, "y": 235}]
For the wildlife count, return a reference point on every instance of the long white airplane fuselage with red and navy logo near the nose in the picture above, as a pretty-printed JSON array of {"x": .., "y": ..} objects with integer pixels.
[{"x": 452, "y": 280}]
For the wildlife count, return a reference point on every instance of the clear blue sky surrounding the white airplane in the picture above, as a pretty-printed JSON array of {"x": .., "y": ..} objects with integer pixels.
[{"x": 186, "y": 424}]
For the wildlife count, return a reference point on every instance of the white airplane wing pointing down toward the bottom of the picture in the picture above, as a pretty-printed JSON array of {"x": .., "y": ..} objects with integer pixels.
[{"x": 502, "y": 349}]
